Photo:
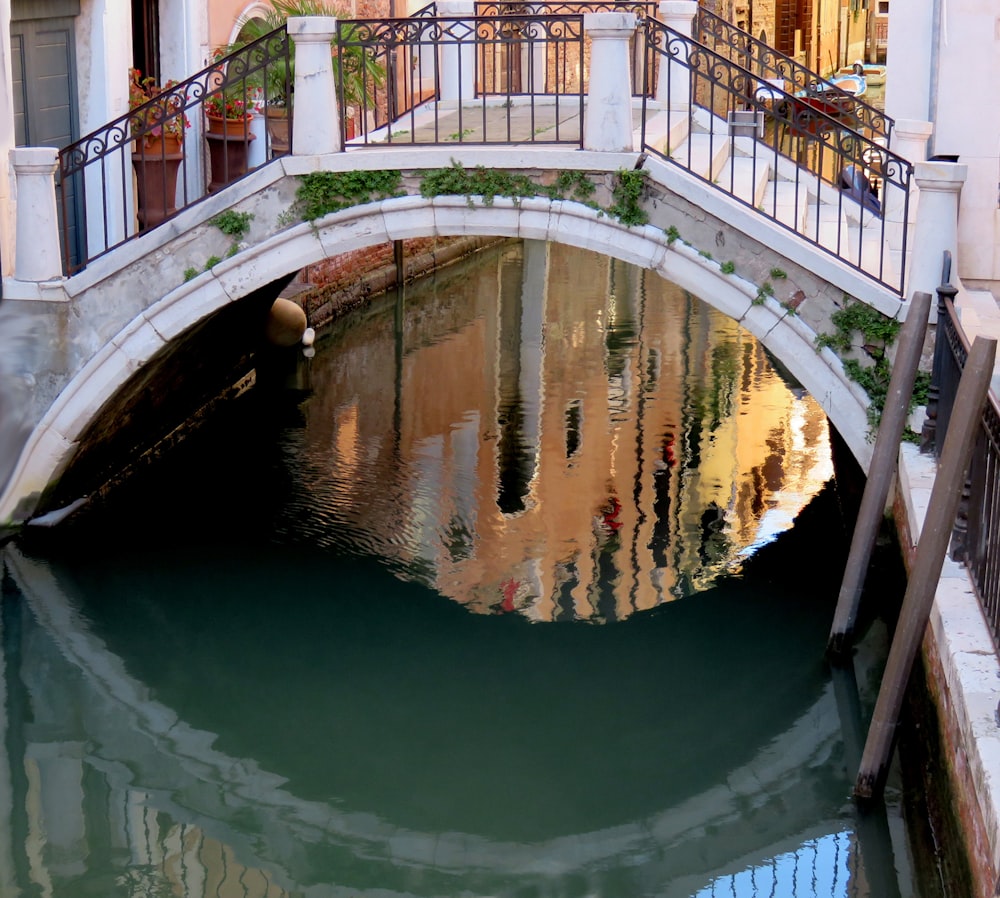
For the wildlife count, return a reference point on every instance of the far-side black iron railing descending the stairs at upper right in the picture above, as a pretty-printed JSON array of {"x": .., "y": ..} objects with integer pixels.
[{"x": 755, "y": 56}]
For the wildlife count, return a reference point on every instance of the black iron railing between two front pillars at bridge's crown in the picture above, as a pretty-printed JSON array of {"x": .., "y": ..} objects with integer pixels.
[{"x": 477, "y": 80}]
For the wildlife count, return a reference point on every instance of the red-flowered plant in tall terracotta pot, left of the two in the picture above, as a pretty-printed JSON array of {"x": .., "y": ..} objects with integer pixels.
[{"x": 156, "y": 123}]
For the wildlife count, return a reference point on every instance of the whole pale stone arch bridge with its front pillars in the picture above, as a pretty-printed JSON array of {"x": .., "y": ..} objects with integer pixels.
[{"x": 78, "y": 353}]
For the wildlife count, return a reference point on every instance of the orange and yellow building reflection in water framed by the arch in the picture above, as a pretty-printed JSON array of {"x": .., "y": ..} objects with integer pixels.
[{"x": 599, "y": 442}]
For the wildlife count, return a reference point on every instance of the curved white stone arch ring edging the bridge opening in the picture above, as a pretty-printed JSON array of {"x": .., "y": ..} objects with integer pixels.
[{"x": 54, "y": 441}]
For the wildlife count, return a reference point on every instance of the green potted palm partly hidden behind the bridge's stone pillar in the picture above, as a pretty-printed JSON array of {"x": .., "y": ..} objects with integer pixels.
[{"x": 361, "y": 70}]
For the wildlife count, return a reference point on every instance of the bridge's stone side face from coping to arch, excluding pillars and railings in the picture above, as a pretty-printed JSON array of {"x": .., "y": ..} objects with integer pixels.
[{"x": 102, "y": 326}]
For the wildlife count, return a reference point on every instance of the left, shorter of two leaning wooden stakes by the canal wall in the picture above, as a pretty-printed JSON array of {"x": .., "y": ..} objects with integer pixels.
[{"x": 880, "y": 472}]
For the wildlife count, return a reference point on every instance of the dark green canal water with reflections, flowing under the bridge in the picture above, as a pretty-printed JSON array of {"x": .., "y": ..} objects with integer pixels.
[{"x": 519, "y": 587}]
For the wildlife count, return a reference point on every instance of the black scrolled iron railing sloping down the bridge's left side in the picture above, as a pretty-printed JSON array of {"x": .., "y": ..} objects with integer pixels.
[{"x": 142, "y": 168}]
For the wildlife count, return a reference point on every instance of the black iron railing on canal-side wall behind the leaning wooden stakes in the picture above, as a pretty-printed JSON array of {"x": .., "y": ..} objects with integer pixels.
[{"x": 976, "y": 537}]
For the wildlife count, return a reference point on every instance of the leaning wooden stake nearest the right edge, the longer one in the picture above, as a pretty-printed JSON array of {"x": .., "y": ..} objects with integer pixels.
[{"x": 923, "y": 580}]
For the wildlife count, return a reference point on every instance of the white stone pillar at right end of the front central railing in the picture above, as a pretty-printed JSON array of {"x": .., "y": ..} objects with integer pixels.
[{"x": 608, "y": 124}]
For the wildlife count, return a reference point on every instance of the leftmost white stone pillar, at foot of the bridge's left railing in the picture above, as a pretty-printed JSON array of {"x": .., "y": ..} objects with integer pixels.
[{"x": 37, "y": 256}]
